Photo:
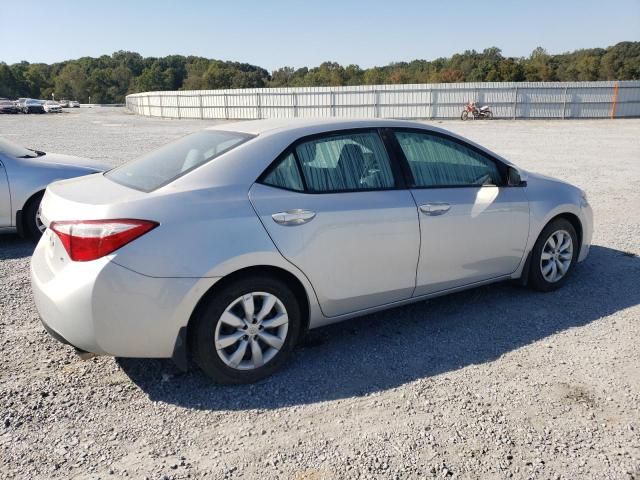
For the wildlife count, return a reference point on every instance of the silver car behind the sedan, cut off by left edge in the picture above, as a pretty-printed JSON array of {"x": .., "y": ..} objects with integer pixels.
[{"x": 24, "y": 175}]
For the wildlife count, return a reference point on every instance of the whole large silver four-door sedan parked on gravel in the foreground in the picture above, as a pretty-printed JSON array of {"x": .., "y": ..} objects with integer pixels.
[{"x": 229, "y": 243}]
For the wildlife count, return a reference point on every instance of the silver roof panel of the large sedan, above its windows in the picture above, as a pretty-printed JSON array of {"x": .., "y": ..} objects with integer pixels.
[{"x": 303, "y": 127}]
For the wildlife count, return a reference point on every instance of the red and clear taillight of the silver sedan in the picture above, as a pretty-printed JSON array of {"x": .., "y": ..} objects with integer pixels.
[{"x": 86, "y": 240}]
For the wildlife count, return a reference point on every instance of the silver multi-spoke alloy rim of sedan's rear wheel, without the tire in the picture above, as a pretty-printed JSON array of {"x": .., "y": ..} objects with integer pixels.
[{"x": 251, "y": 331}]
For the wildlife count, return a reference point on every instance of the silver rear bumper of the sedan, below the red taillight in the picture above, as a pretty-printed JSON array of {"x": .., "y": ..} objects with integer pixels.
[{"x": 103, "y": 308}]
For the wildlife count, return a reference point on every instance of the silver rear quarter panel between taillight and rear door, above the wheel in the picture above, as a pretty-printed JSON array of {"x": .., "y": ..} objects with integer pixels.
[{"x": 203, "y": 233}]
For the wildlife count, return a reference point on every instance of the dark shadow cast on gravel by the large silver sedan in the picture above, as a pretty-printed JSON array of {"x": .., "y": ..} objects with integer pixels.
[{"x": 387, "y": 349}]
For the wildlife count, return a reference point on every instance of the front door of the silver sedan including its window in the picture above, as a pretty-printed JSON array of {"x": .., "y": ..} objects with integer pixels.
[{"x": 473, "y": 227}]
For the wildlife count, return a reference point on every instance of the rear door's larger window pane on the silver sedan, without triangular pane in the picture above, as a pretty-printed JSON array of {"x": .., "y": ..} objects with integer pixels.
[{"x": 354, "y": 161}]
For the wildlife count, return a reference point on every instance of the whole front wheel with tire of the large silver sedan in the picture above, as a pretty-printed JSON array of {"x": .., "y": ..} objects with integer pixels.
[{"x": 553, "y": 256}]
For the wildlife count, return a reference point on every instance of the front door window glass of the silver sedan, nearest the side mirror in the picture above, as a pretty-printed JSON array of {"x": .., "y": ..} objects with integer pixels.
[{"x": 439, "y": 162}]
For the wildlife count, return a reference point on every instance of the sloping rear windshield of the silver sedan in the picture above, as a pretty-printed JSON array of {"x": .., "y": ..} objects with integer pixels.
[{"x": 163, "y": 166}]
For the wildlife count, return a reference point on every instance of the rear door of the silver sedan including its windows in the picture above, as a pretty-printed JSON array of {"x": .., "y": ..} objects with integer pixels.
[{"x": 334, "y": 207}]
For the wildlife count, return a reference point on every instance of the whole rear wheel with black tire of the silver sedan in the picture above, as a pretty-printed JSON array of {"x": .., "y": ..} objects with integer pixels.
[{"x": 247, "y": 330}]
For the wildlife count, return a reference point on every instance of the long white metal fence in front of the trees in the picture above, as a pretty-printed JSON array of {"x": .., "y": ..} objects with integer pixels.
[{"x": 553, "y": 100}]
